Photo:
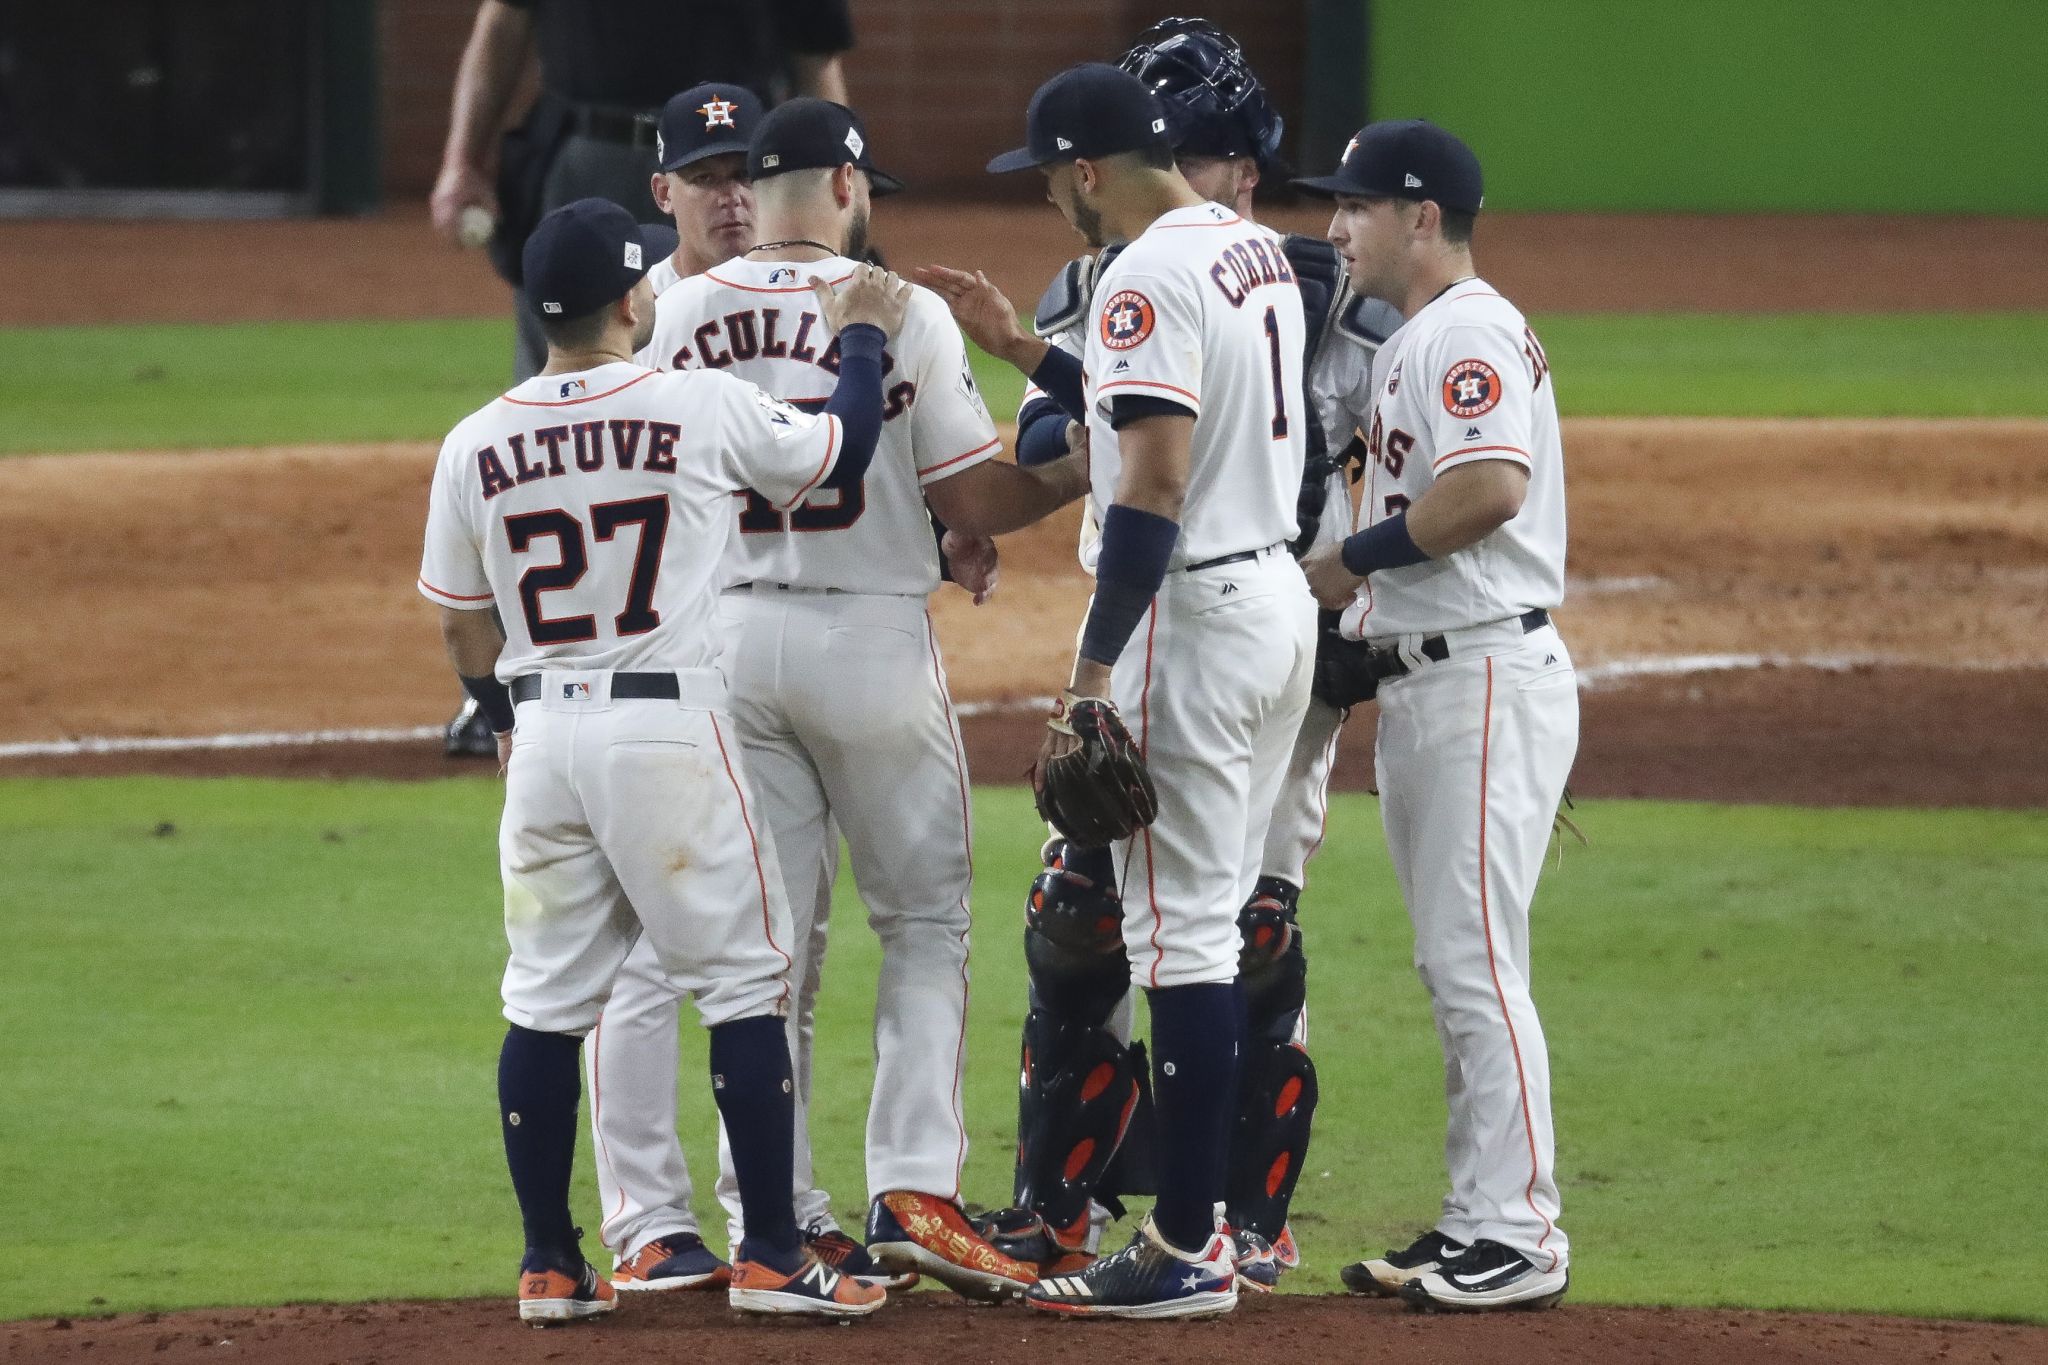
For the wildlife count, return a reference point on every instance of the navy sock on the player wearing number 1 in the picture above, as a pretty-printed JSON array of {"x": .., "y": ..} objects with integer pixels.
[{"x": 1197, "y": 1037}]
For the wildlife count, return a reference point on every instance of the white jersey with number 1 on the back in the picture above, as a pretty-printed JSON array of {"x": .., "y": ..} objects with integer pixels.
[{"x": 1203, "y": 310}]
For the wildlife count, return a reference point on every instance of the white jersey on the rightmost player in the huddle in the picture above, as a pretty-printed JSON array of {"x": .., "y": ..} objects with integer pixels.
[{"x": 1461, "y": 382}]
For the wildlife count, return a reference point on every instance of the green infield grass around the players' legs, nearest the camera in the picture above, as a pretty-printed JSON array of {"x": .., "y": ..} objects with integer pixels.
[{"x": 249, "y": 1037}]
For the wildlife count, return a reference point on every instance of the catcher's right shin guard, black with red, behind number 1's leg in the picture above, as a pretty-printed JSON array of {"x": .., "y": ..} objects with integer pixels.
[{"x": 1277, "y": 1090}]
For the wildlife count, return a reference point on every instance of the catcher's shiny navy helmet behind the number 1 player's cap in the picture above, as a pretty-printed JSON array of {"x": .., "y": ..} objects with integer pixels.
[{"x": 1209, "y": 91}]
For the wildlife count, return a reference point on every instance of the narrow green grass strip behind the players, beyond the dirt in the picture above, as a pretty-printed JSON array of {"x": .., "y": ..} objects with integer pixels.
[{"x": 146, "y": 388}]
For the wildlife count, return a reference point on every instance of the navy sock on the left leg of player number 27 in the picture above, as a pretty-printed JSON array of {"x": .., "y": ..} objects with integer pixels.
[{"x": 538, "y": 1094}]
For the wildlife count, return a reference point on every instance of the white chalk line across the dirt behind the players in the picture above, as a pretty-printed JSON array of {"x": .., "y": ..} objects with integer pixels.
[{"x": 1590, "y": 676}]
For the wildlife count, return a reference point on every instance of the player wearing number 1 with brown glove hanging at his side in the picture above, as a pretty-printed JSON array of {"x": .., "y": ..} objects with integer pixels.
[{"x": 1201, "y": 629}]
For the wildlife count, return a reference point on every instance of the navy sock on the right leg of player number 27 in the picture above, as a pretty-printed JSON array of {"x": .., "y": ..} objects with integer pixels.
[{"x": 751, "y": 1080}]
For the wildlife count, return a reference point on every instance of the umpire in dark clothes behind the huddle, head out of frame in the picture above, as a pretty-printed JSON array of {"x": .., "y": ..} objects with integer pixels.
[{"x": 605, "y": 71}]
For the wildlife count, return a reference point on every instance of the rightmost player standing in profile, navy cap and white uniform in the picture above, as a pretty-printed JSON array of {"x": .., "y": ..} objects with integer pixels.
[{"x": 1449, "y": 584}]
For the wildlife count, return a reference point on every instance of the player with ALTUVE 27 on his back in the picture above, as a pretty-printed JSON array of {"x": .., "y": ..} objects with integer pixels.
[{"x": 591, "y": 507}]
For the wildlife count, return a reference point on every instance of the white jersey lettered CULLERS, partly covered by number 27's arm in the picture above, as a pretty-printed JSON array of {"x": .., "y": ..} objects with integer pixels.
[{"x": 759, "y": 320}]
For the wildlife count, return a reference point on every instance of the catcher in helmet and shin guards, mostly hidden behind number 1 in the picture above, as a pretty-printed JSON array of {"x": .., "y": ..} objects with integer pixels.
[{"x": 1080, "y": 1018}]
